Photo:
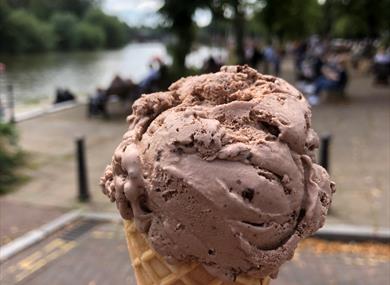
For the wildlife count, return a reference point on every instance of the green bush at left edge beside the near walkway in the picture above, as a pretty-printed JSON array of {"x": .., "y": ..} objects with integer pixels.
[{"x": 10, "y": 157}]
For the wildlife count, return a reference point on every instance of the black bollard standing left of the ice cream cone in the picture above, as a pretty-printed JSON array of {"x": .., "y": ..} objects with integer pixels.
[{"x": 82, "y": 171}]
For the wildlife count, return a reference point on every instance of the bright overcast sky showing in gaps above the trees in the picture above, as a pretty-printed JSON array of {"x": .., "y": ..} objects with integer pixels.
[{"x": 144, "y": 12}]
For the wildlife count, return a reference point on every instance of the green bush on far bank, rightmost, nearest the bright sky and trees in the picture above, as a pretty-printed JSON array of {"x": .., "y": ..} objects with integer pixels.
[{"x": 116, "y": 32}]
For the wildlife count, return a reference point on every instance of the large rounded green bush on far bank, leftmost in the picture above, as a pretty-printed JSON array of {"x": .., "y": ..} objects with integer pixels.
[{"x": 25, "y": 33}]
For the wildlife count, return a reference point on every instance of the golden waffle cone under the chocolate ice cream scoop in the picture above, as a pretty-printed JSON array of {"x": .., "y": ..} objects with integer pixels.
[{"x": 151, "y": 269}]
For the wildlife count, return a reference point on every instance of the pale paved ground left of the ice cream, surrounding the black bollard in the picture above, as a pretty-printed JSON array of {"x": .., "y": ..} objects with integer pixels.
[{"x": 50, "y": 139}]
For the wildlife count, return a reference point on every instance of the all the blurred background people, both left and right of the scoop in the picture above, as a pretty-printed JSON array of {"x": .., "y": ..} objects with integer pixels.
[{"x": 319, "y": 66}]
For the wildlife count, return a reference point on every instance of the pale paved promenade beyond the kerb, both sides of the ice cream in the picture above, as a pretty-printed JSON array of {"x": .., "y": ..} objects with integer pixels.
[{"x": 360, "y": 156}]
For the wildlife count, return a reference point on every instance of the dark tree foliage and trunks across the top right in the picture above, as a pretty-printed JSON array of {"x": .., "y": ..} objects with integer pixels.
[{"x": 274, "y": 19}]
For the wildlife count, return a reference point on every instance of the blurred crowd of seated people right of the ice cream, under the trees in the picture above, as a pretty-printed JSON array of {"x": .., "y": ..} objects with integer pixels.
[{"x": 322, "y": 65}]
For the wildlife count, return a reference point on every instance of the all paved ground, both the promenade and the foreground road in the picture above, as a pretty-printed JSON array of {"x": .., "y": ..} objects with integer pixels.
[{"x": 360, "y": 161}]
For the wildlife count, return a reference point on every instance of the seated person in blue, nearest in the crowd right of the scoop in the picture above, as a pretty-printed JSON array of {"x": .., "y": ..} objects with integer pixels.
[{"x": 334, "y": 78}]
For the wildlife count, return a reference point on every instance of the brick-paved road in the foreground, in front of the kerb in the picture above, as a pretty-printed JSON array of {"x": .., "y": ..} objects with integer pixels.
[{"x": 94, "y": 253}]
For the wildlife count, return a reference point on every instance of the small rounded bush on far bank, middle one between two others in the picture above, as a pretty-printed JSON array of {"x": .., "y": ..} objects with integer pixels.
[{"x": 89, "y": 37}]
